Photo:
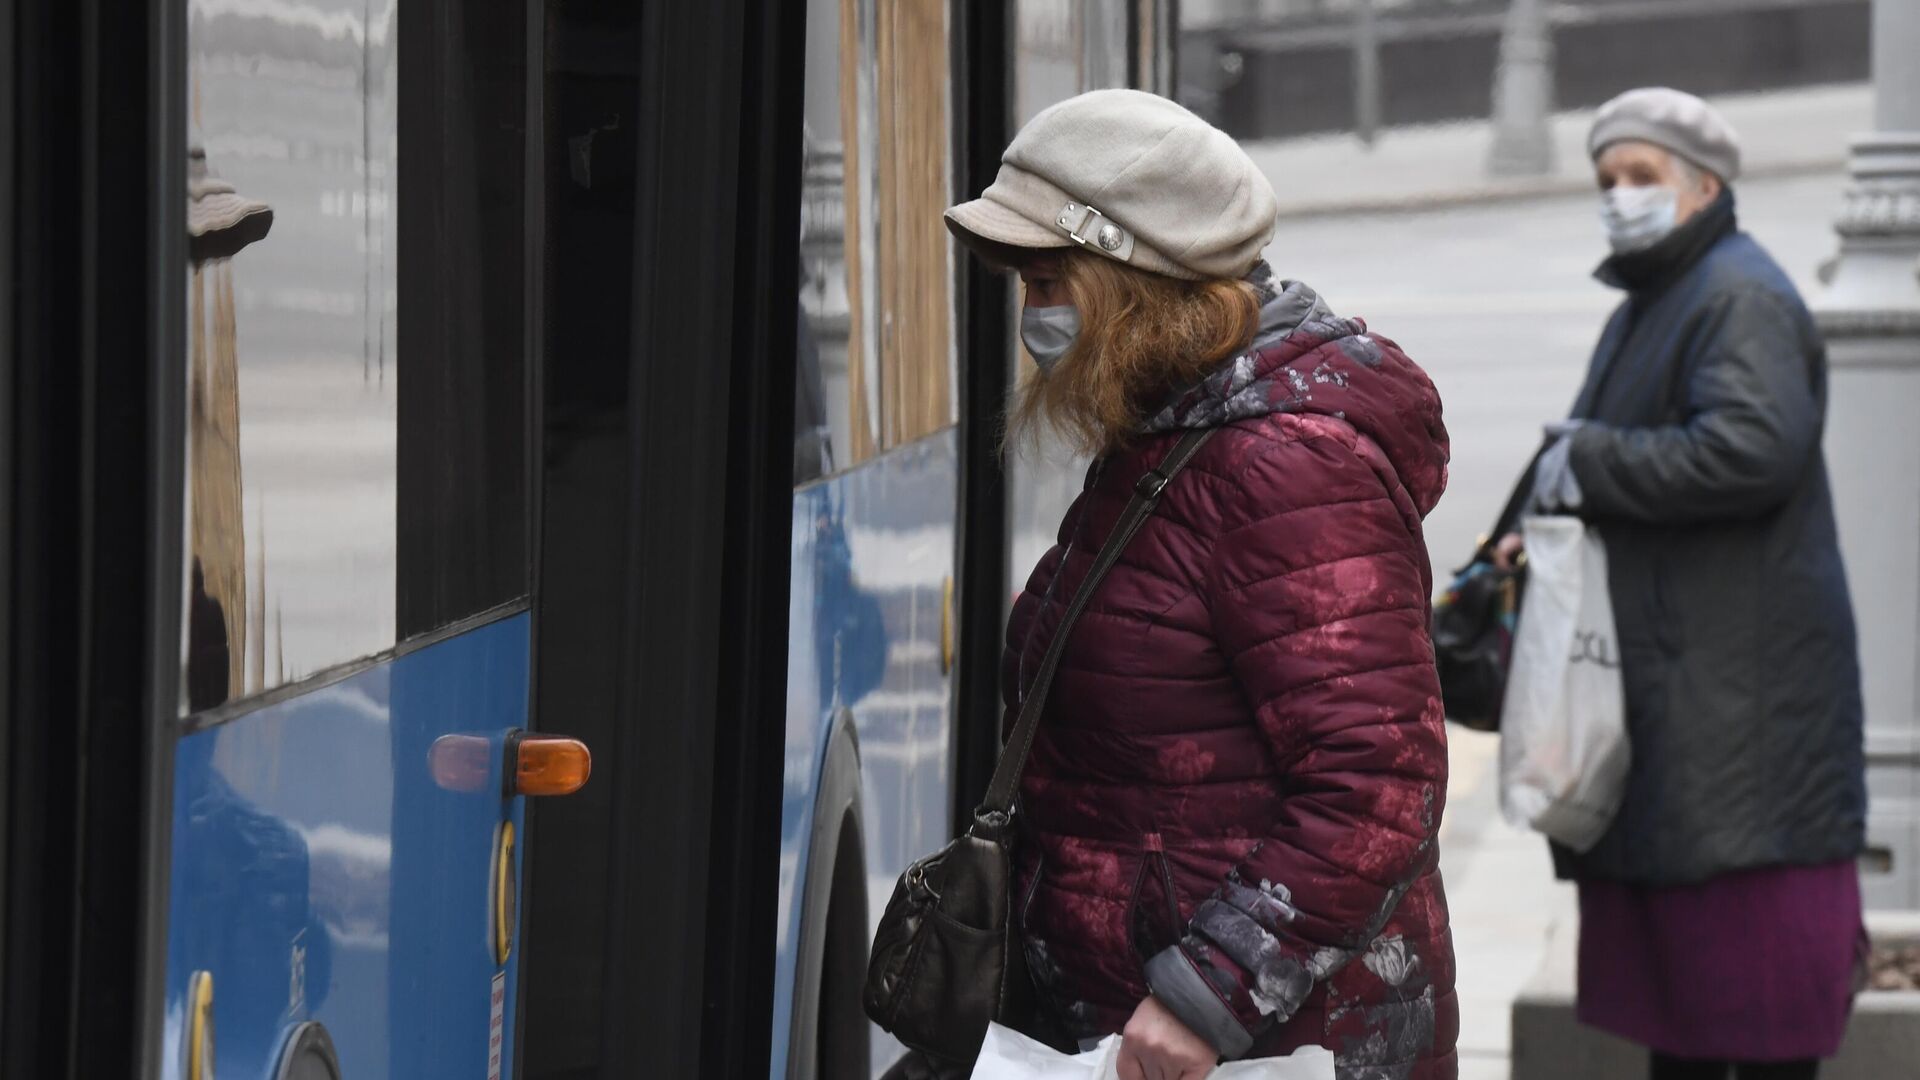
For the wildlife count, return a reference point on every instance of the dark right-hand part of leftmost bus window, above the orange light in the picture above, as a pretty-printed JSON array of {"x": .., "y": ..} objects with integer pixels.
[{"x": 464, "y": 322}]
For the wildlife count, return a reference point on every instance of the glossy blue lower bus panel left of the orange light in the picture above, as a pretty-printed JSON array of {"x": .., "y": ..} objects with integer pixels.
[{"x": 329, "y": 864}]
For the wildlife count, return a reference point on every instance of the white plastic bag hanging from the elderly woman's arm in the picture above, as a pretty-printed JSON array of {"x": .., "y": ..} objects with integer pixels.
[{"x": 1564, "y": 747}]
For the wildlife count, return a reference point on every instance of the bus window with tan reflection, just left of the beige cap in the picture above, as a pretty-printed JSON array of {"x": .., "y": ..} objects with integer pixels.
[{"x": 876, "y": 347}]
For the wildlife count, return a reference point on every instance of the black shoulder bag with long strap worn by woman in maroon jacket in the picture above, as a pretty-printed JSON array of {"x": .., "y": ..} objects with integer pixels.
[{"x": 946, "y": 958}]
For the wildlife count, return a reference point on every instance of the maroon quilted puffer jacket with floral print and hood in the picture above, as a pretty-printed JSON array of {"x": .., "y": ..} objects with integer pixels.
[{"x": 1236, "y": 793}]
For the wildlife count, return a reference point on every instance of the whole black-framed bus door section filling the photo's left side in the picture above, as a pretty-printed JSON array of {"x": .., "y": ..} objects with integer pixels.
[{"x": 396, "y": 380}]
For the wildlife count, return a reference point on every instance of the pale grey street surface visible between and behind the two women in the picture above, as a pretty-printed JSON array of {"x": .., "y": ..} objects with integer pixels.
[{"x": 1499, "y": 303}]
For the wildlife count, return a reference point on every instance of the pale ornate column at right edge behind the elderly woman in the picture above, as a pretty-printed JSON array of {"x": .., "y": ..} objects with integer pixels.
[{"x": 1871, "y": 316}]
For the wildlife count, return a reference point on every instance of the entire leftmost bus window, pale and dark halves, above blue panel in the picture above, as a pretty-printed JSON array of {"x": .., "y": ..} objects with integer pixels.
[{"x": 356, "y": 435}]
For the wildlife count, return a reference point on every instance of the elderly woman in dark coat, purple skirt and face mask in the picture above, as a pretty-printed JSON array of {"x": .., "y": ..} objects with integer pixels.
[{"x": 1721, "y": 914}]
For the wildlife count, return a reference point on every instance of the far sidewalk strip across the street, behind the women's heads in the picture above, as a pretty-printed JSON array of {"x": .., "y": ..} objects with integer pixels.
[{"x": 1439, "y": 166}]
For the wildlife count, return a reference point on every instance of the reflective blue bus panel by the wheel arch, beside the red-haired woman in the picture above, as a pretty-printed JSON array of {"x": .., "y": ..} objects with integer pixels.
[{"x": 873, "y": 568}]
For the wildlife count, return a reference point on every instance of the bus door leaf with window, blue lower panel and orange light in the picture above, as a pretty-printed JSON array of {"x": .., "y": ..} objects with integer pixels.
[{"x": 356, "y": 639}]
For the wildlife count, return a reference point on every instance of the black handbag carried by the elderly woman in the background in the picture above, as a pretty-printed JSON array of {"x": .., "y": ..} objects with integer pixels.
[{"x": 1474, "y": 626}]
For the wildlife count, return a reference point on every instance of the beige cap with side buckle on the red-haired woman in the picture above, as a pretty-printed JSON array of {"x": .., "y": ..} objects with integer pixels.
[{"x": 1130, "y": 176}]
